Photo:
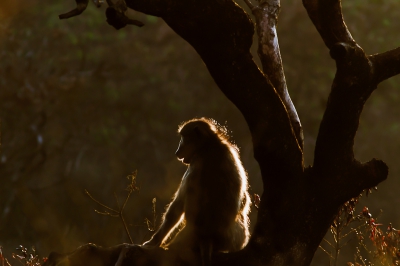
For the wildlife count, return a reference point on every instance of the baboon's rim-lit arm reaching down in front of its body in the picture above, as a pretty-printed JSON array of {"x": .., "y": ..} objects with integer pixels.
[{"x": 171, "y": 218}]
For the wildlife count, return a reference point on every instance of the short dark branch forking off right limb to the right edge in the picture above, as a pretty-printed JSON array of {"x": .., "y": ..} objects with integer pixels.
[{"x": 386, "y": 64}]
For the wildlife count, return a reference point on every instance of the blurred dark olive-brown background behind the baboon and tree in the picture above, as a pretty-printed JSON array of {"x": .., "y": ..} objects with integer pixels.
[{"x": 82, "y": 106}]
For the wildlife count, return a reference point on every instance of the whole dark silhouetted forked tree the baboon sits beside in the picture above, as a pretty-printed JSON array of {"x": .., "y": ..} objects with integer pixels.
[{"x": 299, "y": 203}]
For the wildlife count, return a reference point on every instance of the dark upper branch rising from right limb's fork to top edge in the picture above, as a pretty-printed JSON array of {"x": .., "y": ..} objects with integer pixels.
[{"x": 328, "y": 19}]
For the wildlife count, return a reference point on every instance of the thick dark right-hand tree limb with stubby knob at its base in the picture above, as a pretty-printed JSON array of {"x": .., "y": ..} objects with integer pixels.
[{"x": 353, "y": 84}]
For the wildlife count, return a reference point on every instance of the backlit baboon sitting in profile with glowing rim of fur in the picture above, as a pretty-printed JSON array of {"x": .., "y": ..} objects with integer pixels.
[{"x": 212, "y": 199}]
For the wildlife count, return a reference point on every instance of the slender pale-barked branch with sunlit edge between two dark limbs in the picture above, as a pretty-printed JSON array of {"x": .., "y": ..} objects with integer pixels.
[{"x": 266, "y": 15}]
